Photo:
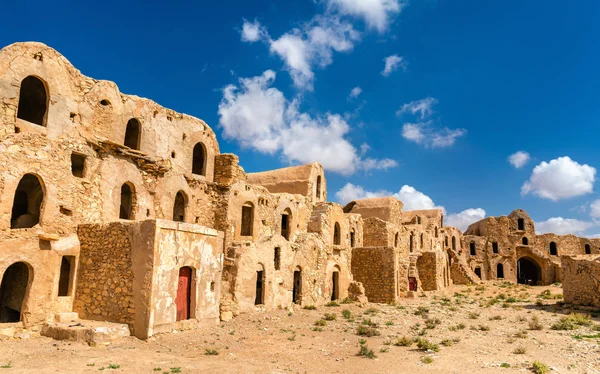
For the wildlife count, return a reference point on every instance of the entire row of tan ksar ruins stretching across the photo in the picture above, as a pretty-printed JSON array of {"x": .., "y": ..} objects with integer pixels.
[{"x": 116, "y": 210}]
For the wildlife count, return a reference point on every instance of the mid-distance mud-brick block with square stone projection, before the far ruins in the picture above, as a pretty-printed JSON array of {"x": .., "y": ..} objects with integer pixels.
[{"x": 402, "y": 252}]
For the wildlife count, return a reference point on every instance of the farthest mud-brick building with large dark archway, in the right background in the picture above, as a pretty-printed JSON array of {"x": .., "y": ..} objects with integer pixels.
[{"x": 507, "y": 247}]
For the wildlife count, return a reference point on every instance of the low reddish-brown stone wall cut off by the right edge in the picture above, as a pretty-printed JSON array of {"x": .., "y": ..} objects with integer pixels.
[{"x": 581, "y": 280}]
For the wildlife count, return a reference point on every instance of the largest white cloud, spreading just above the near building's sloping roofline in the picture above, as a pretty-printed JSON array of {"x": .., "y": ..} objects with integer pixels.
[{"x": 259, "y": 116}]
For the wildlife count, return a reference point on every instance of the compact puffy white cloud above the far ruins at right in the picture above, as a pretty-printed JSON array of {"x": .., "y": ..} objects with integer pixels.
[{"x": 559, "y": 179}]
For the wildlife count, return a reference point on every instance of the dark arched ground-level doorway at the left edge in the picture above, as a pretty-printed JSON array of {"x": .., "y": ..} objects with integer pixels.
[{"x": 12, "y": 292}]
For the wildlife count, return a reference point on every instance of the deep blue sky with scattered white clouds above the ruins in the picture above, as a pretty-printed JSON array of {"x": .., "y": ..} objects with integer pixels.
[{"x": 471, "y": 83}]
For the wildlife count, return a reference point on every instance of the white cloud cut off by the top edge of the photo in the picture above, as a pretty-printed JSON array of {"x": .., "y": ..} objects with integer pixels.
[{"x": 376, "y": 13}]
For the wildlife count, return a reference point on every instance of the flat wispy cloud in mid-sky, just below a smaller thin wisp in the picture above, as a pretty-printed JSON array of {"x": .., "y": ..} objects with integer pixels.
[{"x": 423, "y": 133}]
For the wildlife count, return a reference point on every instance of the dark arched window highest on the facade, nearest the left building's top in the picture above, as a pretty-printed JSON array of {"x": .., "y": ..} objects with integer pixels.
[{"x": 33, "y": 101}]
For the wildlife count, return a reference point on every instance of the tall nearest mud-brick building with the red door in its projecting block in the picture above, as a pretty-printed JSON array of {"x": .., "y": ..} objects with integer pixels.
[{"x": 120, "y": 210}]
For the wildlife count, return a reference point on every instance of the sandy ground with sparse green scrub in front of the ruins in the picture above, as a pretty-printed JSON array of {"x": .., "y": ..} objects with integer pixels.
[{"x": 283, "y": 342}]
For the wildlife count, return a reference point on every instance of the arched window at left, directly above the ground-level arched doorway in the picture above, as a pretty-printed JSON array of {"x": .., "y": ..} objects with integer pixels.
[{"x": 27, "y": 203}]
